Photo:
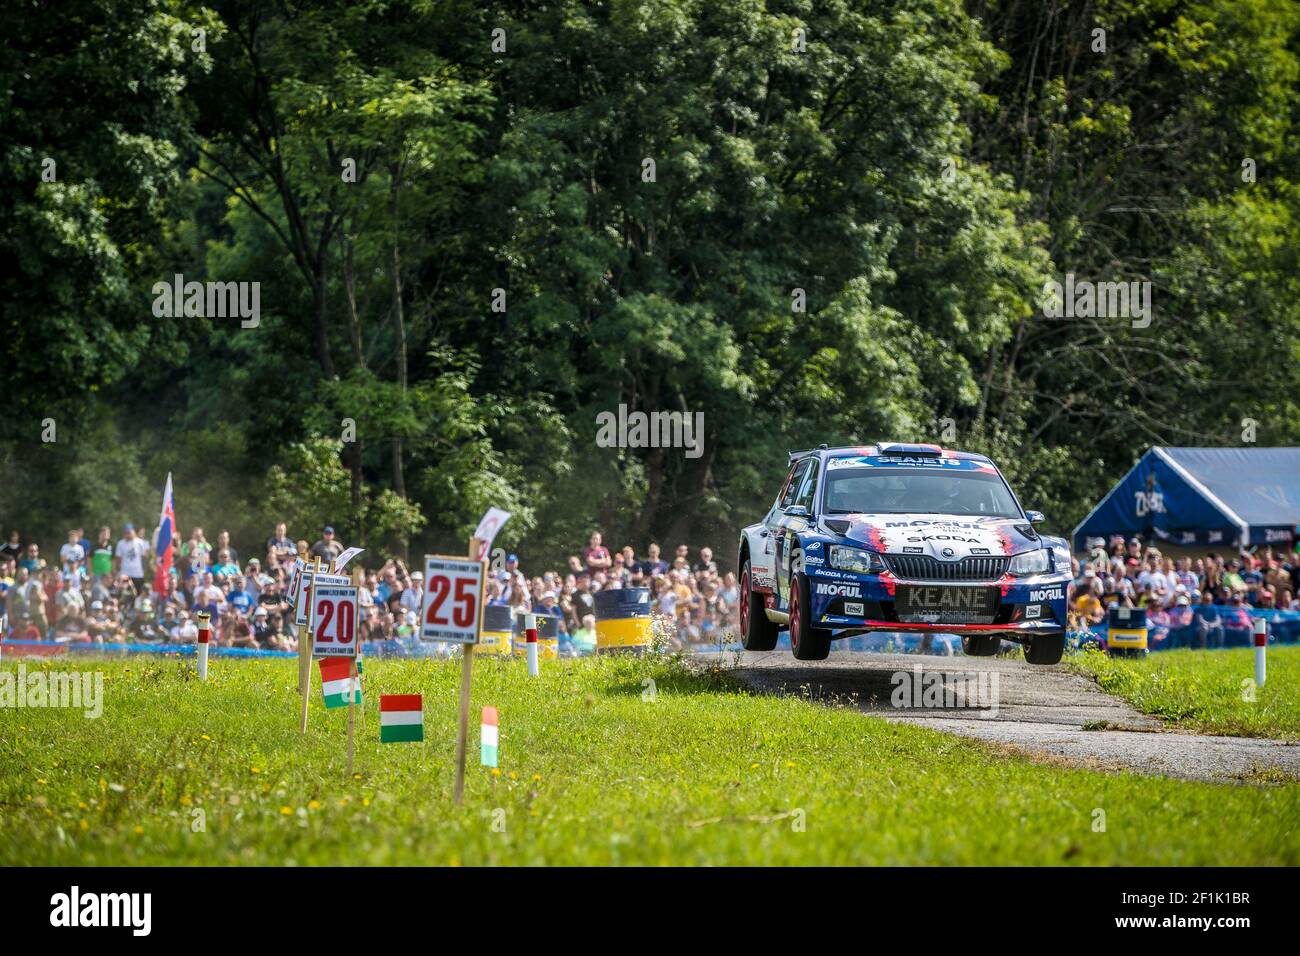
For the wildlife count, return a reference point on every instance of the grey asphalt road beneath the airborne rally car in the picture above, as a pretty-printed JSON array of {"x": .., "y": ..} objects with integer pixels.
[{"x": 1048, "y": 712}]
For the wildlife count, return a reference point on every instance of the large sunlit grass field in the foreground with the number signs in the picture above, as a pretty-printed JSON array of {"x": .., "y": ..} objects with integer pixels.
[{"x": 592, "y": 773}]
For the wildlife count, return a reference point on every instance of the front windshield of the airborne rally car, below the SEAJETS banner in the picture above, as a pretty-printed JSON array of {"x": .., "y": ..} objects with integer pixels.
[{"x": 905, "y": 491}]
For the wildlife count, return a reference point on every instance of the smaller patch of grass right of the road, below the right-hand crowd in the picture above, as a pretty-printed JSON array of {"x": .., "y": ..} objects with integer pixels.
[{"x": 1208, "y": 691}]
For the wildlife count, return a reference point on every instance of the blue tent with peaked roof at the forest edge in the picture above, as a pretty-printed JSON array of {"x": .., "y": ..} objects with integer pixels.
[{"x": 1227, "y": 498}]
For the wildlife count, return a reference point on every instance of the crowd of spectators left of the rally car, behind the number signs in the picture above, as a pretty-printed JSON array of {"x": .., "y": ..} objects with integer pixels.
[{"x": 106, "y": 592}]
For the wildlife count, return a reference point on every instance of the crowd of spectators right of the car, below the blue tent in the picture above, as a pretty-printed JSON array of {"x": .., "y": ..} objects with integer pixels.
[{"x": 1204, "y": 594}]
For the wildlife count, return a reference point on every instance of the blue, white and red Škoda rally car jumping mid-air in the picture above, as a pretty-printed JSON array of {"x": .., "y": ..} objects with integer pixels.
[{"x": 902, "y": 538}]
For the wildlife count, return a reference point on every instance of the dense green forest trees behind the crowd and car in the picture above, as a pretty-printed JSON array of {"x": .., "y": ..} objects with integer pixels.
[{"x": 917, "y": 170}]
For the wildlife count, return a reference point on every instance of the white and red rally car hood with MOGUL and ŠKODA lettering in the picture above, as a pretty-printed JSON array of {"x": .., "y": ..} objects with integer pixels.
[{"x": 948, "y": 538}]
